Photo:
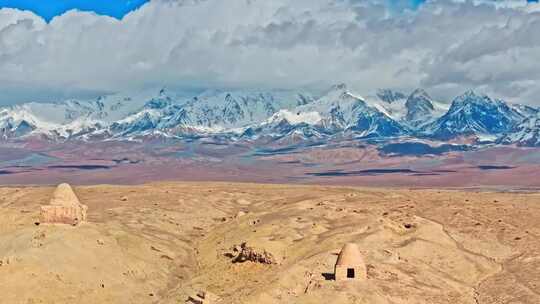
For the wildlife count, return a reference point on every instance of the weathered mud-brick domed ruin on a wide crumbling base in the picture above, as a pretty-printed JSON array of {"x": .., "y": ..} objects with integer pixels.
[{"x": 64, "y": 208}]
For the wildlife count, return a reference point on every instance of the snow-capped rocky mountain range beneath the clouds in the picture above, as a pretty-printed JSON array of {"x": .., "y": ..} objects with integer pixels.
[{"x": 274, "y": 114}]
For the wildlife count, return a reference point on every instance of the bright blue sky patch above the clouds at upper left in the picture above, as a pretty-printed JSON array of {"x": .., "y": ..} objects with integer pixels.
[{"x": 51, "y": 8}]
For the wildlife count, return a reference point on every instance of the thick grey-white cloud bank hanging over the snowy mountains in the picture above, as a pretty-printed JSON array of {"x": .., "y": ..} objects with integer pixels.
[{"x": 445, "y": 47}]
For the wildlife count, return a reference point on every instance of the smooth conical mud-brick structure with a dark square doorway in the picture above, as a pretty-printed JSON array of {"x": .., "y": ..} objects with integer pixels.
[{"x": 350, "y": 264}]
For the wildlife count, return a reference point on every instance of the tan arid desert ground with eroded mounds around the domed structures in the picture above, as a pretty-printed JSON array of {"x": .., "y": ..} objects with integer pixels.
[{"x": 166, "y": 242}]
